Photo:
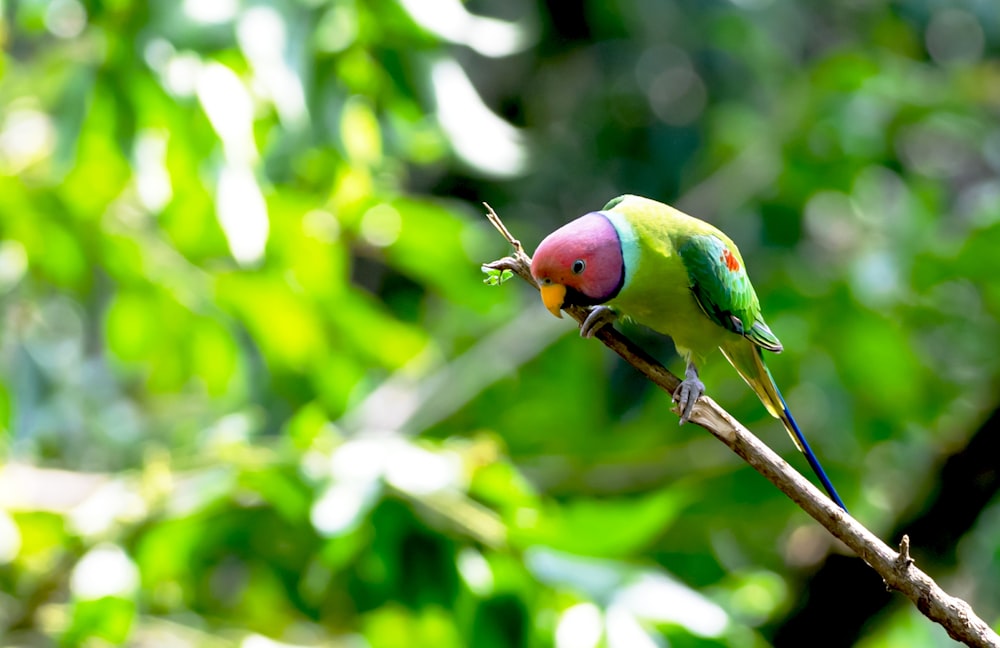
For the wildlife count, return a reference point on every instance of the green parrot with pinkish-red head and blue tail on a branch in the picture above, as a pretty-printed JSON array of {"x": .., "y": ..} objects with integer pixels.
[{"x": 679, "y": 276}]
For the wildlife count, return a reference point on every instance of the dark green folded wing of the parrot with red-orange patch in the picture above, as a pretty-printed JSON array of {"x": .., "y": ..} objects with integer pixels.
[{"x": 723, "y": 290}]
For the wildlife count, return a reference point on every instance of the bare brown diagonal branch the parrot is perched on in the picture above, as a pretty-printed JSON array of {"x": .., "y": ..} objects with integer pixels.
[{"x": 895, "y": 568}]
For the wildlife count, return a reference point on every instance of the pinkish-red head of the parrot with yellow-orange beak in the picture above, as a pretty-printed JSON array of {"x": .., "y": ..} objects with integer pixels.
[{"x": 579, "y": 264}]
